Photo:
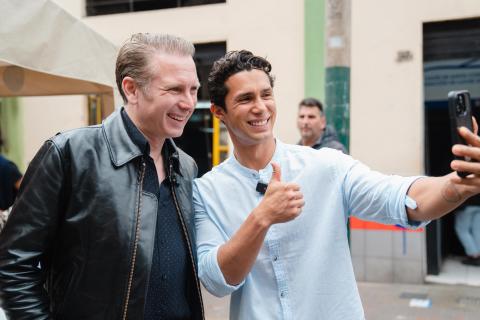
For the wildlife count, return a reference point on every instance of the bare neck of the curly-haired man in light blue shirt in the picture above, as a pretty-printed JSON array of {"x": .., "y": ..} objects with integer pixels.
[{"x": 256, "y": 156}]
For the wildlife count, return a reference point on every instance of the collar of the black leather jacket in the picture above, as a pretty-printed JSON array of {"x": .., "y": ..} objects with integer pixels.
[{"x": 122, "y": 149}]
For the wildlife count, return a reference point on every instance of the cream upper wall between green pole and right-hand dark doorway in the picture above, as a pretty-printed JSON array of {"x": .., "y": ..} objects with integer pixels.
[{"x": 387, "y": 96}]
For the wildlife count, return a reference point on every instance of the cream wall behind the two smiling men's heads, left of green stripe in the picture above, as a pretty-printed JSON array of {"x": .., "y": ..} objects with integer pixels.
[{"x": 269, "y": 28}]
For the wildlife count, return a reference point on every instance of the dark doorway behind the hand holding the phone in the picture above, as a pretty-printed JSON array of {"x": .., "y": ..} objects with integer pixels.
[{"x": 451, "y": 60}]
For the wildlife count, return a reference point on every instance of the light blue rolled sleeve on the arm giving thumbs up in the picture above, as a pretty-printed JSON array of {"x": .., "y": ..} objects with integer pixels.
[{"x": 209, "y": 239}]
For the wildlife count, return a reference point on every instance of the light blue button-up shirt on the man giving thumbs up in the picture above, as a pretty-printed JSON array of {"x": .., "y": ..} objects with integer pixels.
[{"x": 304, "y": 269}]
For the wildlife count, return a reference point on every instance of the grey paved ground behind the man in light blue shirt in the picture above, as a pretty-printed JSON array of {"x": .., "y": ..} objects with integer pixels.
[{"x": 392, "y": 302}]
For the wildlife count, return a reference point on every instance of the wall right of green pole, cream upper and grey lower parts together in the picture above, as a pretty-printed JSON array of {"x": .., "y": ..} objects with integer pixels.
[{"x": 387, "y": 116}]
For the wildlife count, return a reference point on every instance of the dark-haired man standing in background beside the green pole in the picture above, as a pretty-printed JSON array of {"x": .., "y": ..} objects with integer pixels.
[{"x": 312, "y": 124}]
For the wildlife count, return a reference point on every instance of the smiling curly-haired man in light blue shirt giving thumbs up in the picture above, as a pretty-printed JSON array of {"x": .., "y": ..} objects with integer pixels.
[{"x": 276, "y": 262}]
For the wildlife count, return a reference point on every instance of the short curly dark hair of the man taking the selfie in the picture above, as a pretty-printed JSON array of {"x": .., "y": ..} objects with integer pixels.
[{"x": 230, "y": 64}]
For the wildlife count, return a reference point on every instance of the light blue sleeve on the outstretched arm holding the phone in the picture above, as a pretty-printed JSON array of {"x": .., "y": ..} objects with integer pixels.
[{"x": 372, "y": 196}]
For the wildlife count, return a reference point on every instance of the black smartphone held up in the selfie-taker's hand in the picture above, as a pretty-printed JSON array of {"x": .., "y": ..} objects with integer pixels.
[{"x": 460, "y": 110}]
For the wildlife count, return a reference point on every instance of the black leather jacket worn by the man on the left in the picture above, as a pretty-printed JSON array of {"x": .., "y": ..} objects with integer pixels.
[{"x": 81, "y": 213}]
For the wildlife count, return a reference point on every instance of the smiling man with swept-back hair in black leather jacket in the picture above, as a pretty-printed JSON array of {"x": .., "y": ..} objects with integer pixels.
[{"x": 102, "y": 226}]
